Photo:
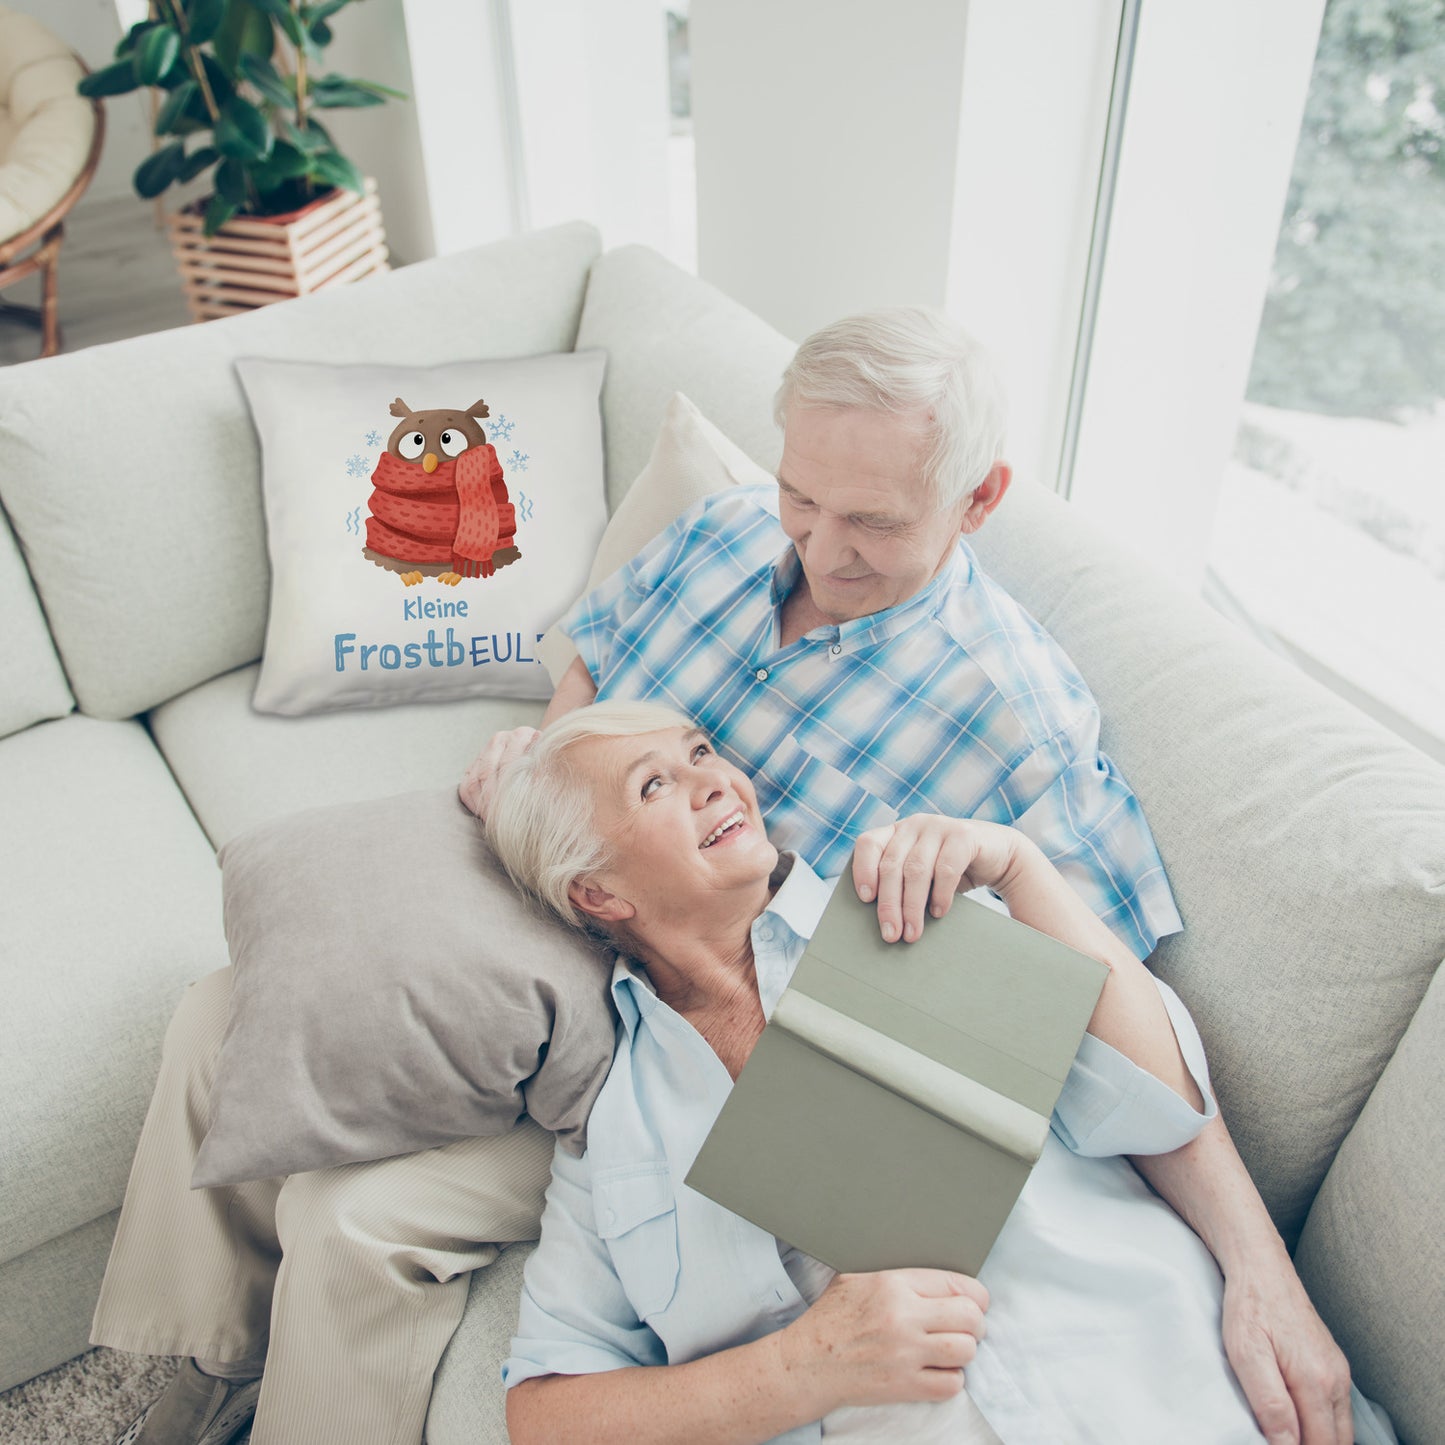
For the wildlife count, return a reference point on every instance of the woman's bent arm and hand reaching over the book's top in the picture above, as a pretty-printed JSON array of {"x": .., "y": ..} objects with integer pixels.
[{"x": 920, "y": 863}]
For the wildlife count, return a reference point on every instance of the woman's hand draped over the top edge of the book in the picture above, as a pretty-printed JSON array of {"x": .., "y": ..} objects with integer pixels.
[{"x": 920, "y": 863}]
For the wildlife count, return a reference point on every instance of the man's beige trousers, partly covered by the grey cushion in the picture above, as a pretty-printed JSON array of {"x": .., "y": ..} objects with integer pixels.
[{"x": 349, "y": 1281}]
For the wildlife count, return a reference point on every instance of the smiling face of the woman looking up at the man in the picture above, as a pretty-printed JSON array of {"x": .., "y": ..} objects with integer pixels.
[{"x": 683, "y": 823}]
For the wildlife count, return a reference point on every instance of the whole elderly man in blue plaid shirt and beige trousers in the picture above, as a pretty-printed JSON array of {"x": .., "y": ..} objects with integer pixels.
[{"x": 839, "y": 641}]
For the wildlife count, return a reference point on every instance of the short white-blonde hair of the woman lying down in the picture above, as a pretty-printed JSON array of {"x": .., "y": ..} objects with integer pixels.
[{"x": 543, "y": 823}]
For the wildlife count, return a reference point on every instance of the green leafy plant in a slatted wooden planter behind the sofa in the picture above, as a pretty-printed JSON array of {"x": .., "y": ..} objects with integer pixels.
[{"x": 241, "y": 85}]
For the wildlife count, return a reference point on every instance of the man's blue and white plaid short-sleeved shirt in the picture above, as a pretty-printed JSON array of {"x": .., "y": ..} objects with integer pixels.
[{"x": 954, "y": 703}]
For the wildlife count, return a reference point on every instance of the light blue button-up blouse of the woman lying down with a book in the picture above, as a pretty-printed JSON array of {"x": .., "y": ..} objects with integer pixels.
[{"x": 638, "y": 1269}]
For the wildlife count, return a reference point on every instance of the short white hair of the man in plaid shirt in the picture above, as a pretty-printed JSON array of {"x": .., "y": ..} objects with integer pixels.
[{"x": 908, "y": 361}]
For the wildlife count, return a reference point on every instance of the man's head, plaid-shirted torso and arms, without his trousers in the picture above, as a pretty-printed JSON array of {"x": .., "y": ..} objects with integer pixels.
[{"x": 839, "y": 641}]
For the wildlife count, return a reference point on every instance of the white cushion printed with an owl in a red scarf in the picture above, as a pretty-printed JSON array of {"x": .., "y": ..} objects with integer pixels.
[{"x": 426, "y": 525}]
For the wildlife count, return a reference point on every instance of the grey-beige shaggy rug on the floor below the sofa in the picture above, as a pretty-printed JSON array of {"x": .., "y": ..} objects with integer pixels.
[{"x": 86, "y": 1402}]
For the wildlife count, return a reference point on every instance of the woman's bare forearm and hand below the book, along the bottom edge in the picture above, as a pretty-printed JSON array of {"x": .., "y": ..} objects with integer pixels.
[{"x": 869, "y": 1340}]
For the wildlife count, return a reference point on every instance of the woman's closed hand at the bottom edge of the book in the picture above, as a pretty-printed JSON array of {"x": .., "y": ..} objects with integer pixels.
[{"x": 901, "y": 1334}]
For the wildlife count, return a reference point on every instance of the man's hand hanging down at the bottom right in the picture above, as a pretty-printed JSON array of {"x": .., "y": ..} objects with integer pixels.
[{"x": 1293, "y": 1372}]
